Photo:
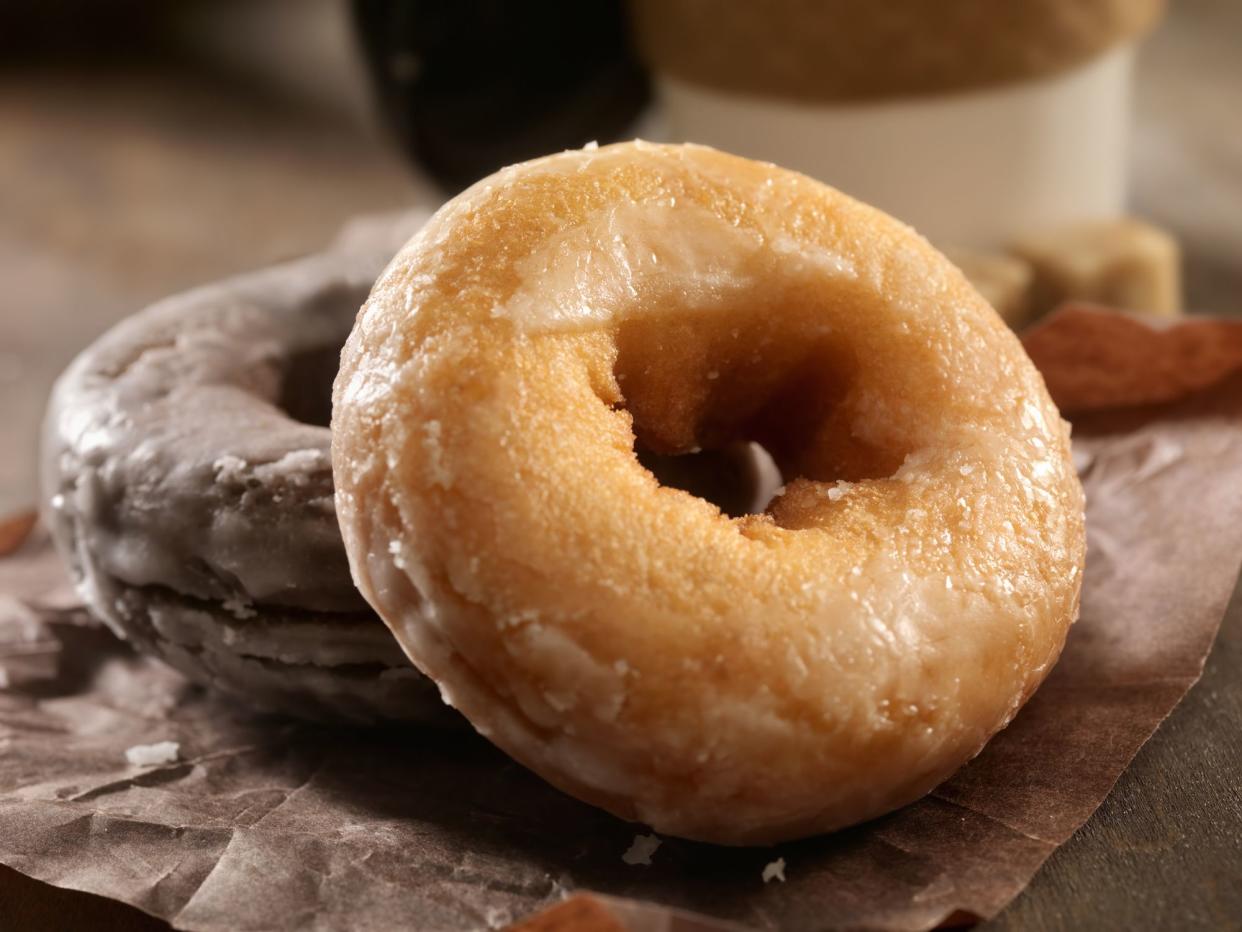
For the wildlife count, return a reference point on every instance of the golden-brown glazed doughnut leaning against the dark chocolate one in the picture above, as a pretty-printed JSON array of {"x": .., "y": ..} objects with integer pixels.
[{"x": 728, "y": 679}]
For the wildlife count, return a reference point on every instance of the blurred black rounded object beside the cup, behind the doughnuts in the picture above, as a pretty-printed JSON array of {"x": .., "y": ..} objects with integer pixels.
[{"x": 473, "y": 86}]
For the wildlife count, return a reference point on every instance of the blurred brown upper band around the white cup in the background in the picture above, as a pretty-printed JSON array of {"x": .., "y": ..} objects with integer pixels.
[{"x": 836, "y": 50}]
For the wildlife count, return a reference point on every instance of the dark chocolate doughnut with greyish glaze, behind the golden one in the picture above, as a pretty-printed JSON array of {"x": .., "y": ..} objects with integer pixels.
[{"x": 188, "y": 485}]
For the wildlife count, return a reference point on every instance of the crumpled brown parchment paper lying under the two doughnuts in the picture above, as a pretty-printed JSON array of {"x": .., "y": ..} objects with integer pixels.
[{"x": 265, "y": 825}]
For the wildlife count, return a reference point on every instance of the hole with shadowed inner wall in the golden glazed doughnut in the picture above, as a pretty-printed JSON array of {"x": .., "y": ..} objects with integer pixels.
[{"x": 723, "y": 403}]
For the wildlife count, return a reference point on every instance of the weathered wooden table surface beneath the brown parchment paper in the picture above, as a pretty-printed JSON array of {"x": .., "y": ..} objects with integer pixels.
[{"x": 122, "y": 186}]
